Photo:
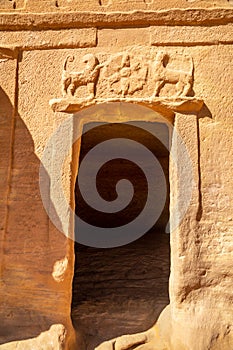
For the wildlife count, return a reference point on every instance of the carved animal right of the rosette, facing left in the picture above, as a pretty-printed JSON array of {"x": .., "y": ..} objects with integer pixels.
[{"x": 162, "y": 75}]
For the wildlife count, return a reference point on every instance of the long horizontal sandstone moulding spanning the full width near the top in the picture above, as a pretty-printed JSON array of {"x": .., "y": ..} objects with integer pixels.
[{"x": 54, "y": 20}]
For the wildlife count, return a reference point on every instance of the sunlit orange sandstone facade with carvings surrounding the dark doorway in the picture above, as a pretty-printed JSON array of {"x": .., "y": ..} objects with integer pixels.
[{"x": 137, "y": 55}]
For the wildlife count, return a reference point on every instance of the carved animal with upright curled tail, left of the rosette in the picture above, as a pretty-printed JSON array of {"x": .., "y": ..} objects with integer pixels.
[{"x": 87, "y": 77}]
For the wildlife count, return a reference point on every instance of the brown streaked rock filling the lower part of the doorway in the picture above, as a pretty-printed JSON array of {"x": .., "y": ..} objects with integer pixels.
[{"x": 120, "y": 290}]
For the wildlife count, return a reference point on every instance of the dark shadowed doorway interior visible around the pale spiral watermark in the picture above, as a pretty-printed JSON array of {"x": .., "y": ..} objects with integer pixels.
[{"x": 121, "y": 290}]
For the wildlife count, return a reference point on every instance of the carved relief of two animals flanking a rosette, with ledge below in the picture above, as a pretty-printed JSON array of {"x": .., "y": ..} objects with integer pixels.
[{"x": 159, "y": 77}]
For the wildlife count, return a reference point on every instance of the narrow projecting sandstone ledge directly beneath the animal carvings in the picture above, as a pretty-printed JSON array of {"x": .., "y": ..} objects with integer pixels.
[{"x": 180, "y": 104}]
